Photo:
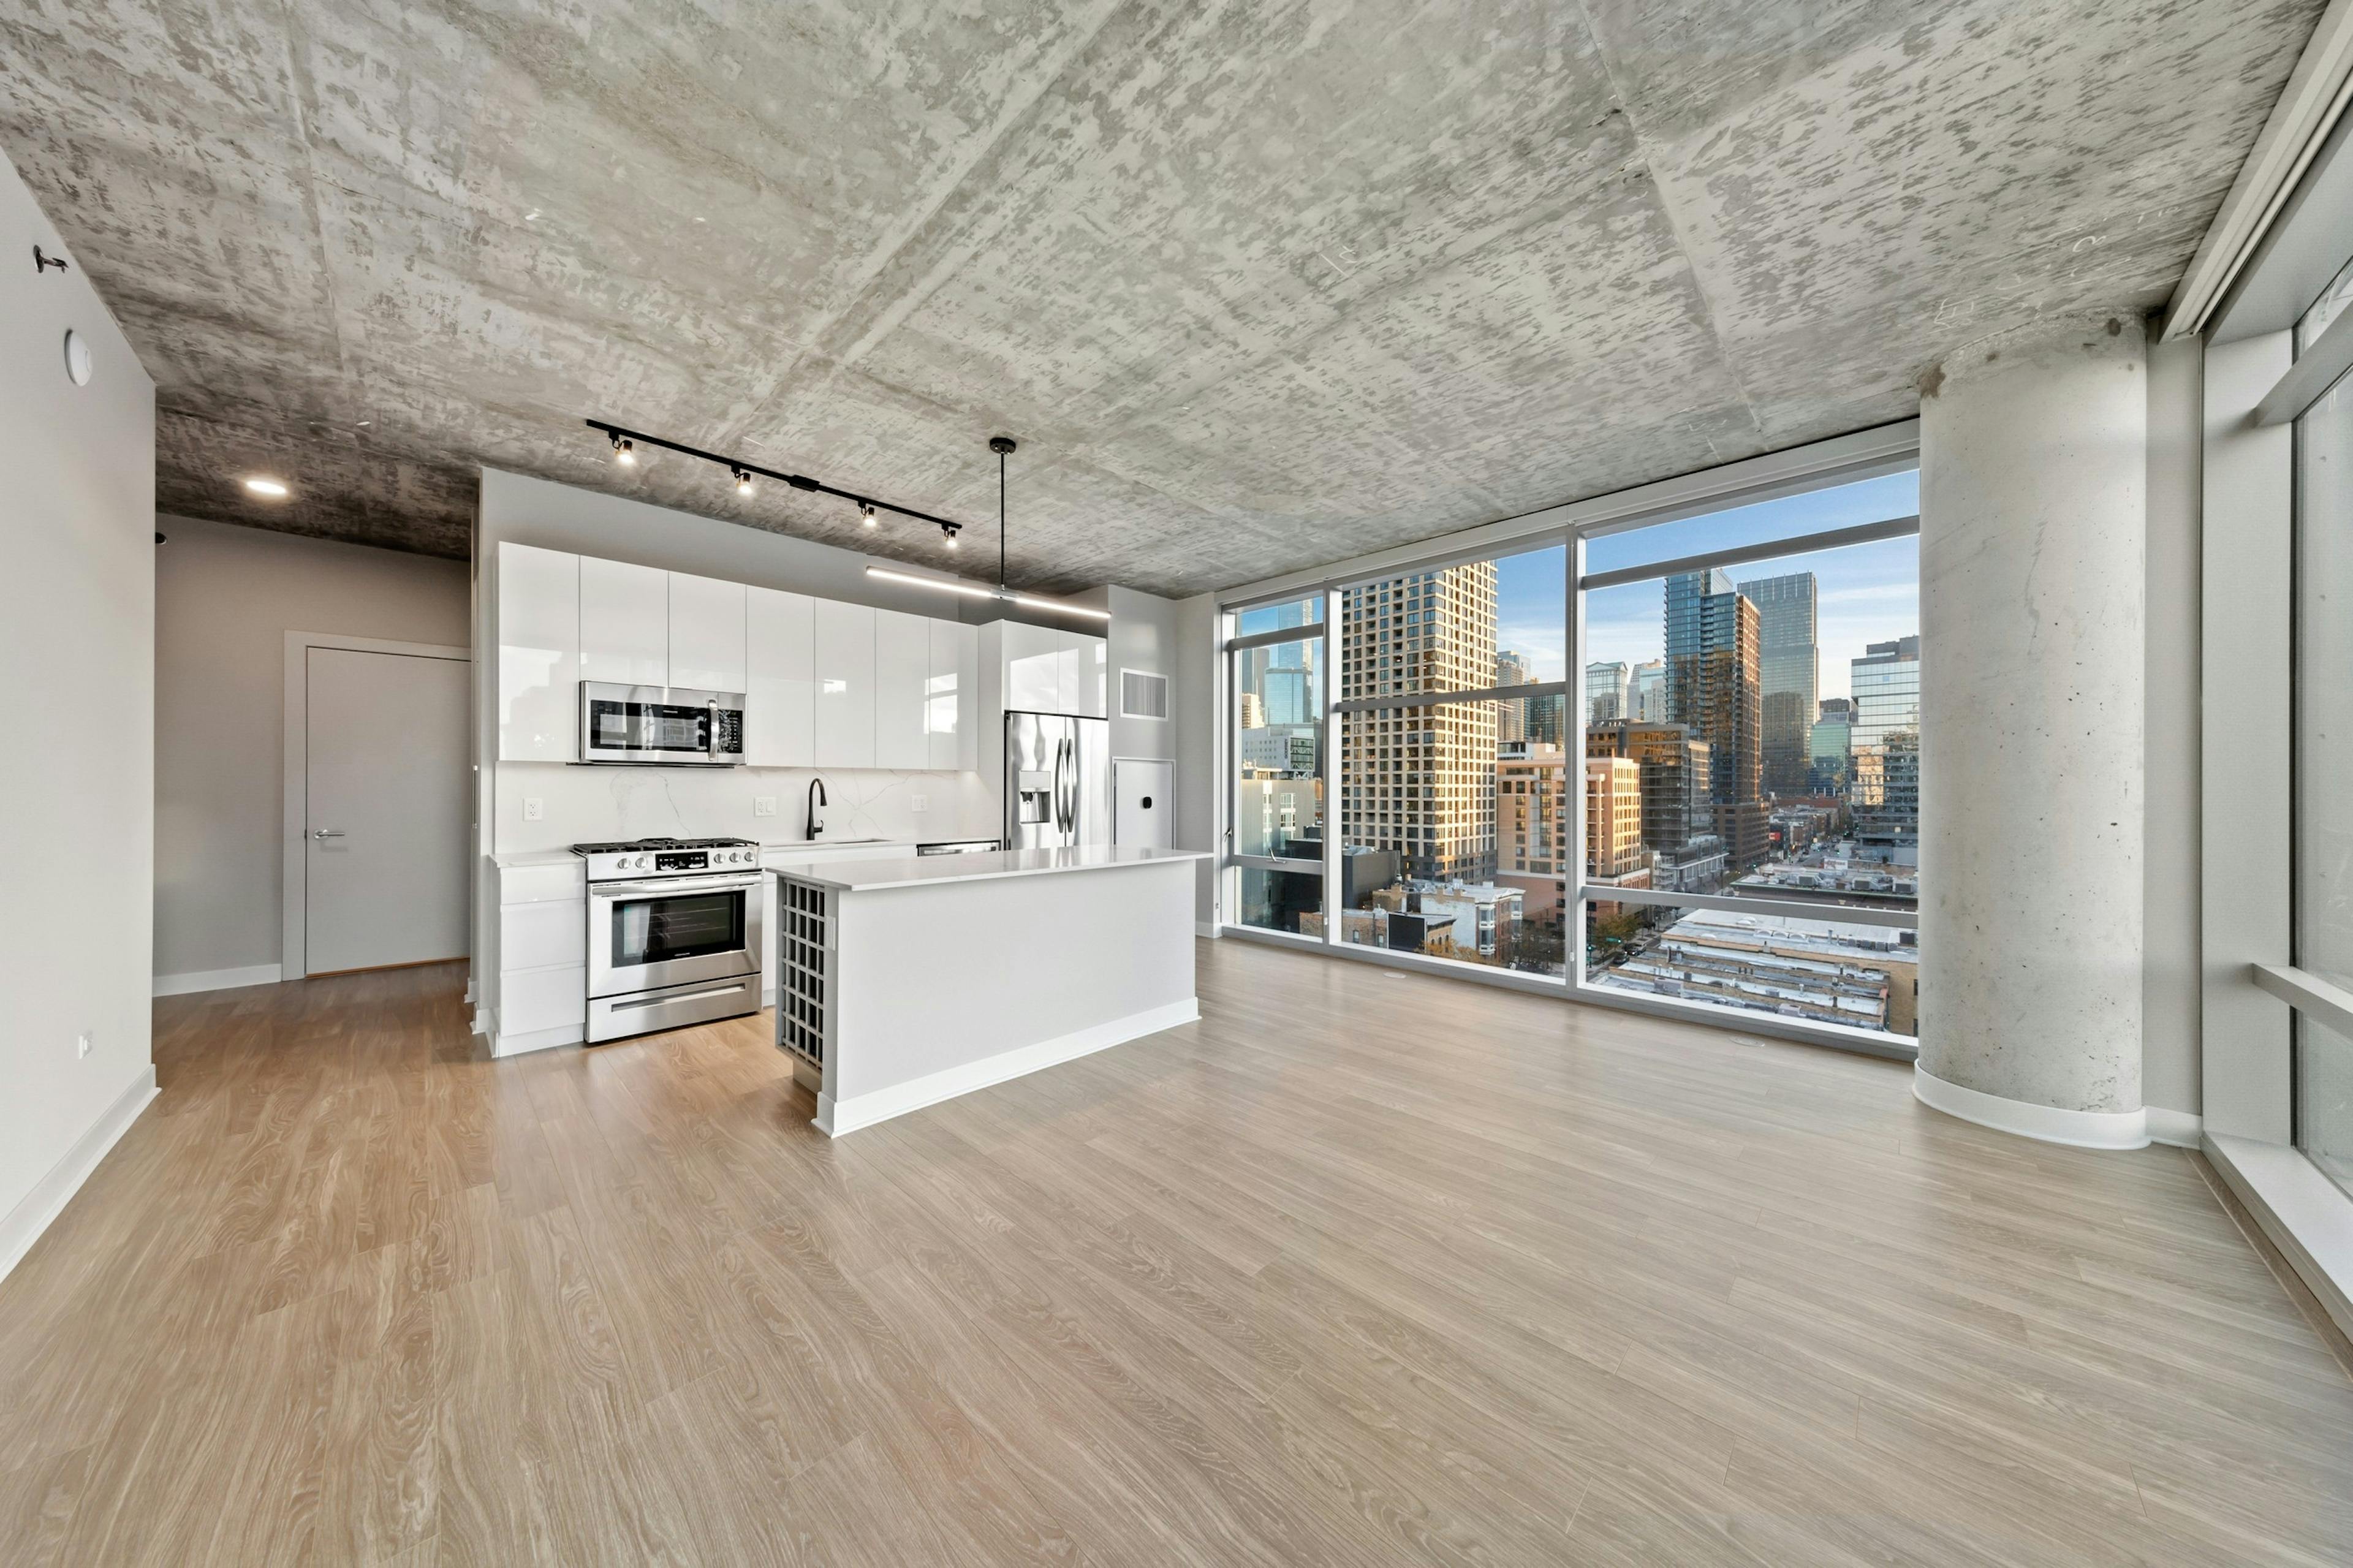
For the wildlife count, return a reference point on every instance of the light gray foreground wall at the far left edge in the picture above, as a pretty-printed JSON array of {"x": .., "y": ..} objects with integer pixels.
[{"x": 79, "y": 792}]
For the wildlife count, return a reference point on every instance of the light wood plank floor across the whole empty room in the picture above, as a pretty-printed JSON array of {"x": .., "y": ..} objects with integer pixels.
[{"x": 1359, "y": 1270}]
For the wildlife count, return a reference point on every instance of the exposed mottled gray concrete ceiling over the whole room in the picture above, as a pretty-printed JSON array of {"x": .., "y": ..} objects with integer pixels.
[{"x": 1258, "y": 286}]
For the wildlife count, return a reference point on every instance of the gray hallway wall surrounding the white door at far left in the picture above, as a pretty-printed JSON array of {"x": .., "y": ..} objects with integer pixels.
[{"x": 225, "y": 602}]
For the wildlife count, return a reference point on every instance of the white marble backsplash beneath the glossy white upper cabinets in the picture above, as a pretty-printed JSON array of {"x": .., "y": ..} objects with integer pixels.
[{"x": 608, "y": 804}]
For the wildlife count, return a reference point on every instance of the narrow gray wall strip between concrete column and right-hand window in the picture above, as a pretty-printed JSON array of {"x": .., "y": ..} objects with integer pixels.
[{"x": 2171, "y": 750}]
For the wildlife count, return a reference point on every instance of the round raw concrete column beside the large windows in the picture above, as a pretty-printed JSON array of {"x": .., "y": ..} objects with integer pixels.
[{"x": 2034, "y": 533}]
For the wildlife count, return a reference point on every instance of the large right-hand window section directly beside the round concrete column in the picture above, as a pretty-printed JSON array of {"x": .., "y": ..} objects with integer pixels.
[{"x": 1752, "y": 748}]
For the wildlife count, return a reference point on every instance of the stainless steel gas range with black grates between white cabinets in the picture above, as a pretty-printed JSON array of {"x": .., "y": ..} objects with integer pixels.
[{"x": 674, "y": 934}]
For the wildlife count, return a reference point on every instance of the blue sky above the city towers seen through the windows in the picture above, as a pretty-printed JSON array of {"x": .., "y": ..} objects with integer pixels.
[{"x": 1865, "y": 594}]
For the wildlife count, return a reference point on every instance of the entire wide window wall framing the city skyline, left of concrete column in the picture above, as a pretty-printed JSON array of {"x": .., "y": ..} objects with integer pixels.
[{"x": 1665, "y": 762}]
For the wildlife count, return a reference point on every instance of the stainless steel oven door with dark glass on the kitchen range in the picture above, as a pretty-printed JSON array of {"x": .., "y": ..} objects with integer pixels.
[{"x": 667, "y": 931}]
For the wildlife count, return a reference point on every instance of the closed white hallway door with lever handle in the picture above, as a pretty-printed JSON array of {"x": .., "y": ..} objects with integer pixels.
[{"x": 387, "y": 811}]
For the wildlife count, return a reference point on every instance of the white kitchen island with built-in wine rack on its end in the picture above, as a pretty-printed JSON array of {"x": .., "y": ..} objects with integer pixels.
[{"x": 902, "y": 983}]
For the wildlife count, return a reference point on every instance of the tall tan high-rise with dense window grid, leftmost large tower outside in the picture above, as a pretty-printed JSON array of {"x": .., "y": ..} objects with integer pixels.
[{"x": 1422, "y": 780}]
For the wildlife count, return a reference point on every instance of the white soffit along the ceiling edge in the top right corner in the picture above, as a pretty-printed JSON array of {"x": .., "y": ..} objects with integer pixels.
[{"x": 2300, "y": 124}]
